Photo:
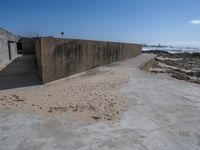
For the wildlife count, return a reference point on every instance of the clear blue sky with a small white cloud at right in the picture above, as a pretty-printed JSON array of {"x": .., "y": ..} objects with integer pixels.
[{"x": 165, "y": 22}]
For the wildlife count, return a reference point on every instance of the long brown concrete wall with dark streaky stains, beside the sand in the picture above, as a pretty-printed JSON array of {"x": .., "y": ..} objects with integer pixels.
[{"x": 59, "y": 58}]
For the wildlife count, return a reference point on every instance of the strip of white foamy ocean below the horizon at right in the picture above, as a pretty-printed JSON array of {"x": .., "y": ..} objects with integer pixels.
[{"x": 172, "y": 49}]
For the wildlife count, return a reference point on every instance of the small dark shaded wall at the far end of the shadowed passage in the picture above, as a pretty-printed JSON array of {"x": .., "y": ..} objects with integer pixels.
[{"x": 28, "y": 45}]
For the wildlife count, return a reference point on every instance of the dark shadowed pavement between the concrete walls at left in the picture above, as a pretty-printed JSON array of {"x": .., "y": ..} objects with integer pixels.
[{"x": 22, "y": 72}]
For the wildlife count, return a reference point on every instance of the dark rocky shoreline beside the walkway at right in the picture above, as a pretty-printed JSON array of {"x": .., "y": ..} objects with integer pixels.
[{"x": 182, "y": 66}]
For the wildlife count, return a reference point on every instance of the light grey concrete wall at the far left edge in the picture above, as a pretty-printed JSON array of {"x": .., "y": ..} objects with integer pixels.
[{"x": 8, "y": 46}]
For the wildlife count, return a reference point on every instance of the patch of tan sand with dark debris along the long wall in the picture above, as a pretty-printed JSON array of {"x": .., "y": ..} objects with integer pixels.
[{"x": 94, "y": 95}]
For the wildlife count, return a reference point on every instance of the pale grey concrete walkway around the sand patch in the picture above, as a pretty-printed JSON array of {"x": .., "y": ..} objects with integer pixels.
[{"x": 163, "y": 114}]
